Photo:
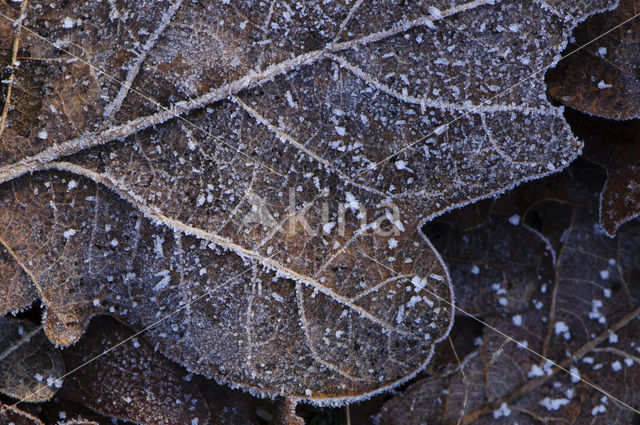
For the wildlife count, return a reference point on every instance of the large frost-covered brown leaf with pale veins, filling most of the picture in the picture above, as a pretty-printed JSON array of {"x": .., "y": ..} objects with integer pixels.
[{"x": 288, "y": 110}]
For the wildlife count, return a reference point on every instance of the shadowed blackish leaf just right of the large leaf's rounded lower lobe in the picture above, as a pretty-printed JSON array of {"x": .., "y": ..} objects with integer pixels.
[{"x": 504, "y": 259}]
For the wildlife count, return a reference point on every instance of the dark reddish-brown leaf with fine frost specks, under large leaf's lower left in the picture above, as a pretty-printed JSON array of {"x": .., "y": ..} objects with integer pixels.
[{"x": 130, "y": 382}]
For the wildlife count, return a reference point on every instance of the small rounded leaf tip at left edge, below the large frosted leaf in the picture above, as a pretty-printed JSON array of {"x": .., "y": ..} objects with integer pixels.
[{"x": 30, "y": 366}]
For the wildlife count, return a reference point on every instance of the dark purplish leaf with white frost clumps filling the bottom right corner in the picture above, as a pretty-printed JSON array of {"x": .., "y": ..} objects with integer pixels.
[{"x": 587, "y": 322}]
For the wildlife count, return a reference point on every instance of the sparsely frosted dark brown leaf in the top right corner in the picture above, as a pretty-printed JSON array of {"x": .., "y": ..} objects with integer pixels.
[{"x": 603, "y": 78}]
